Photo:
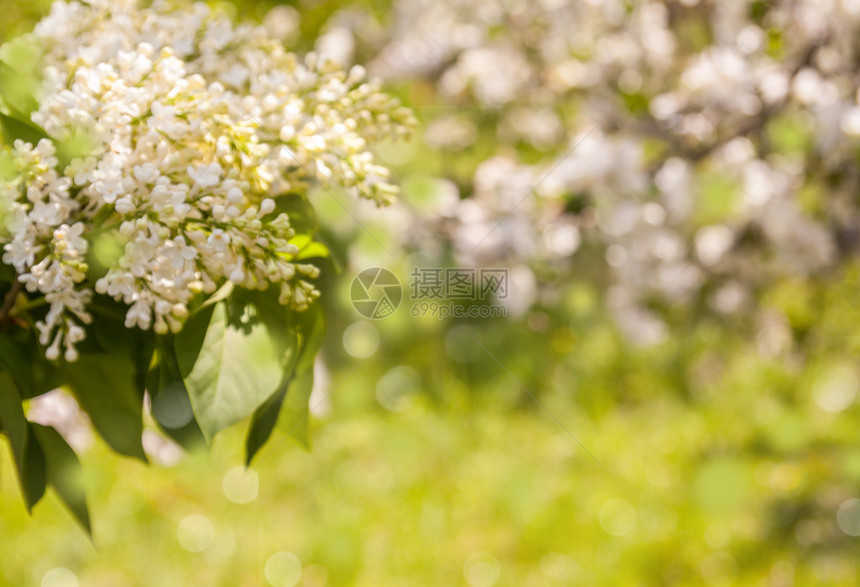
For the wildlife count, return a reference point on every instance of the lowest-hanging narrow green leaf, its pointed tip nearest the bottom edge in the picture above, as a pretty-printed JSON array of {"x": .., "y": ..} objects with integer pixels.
[{"x": 64, "y": 473}]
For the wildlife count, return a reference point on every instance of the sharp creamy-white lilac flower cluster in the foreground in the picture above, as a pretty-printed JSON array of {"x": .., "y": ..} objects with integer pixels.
[{"x": 193, "y": 126}]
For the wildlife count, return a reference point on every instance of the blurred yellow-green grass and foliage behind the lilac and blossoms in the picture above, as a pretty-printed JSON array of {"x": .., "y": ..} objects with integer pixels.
[{"x": 547, "y": 448}]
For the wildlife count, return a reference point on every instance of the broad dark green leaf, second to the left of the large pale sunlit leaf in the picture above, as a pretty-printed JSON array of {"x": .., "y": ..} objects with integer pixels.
[{"x": 105, "y": 387}]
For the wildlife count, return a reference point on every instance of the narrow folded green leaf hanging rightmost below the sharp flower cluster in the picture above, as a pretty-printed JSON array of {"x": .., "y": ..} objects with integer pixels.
[{"x": 297, "y": 385}]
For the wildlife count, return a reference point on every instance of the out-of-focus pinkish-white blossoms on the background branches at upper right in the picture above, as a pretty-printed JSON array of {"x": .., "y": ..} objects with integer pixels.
[{"x": 680, "y": 139}]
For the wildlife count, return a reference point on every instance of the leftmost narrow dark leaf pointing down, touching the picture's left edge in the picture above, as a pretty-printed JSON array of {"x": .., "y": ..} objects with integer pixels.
[{"x": 29, "y": 458}]
